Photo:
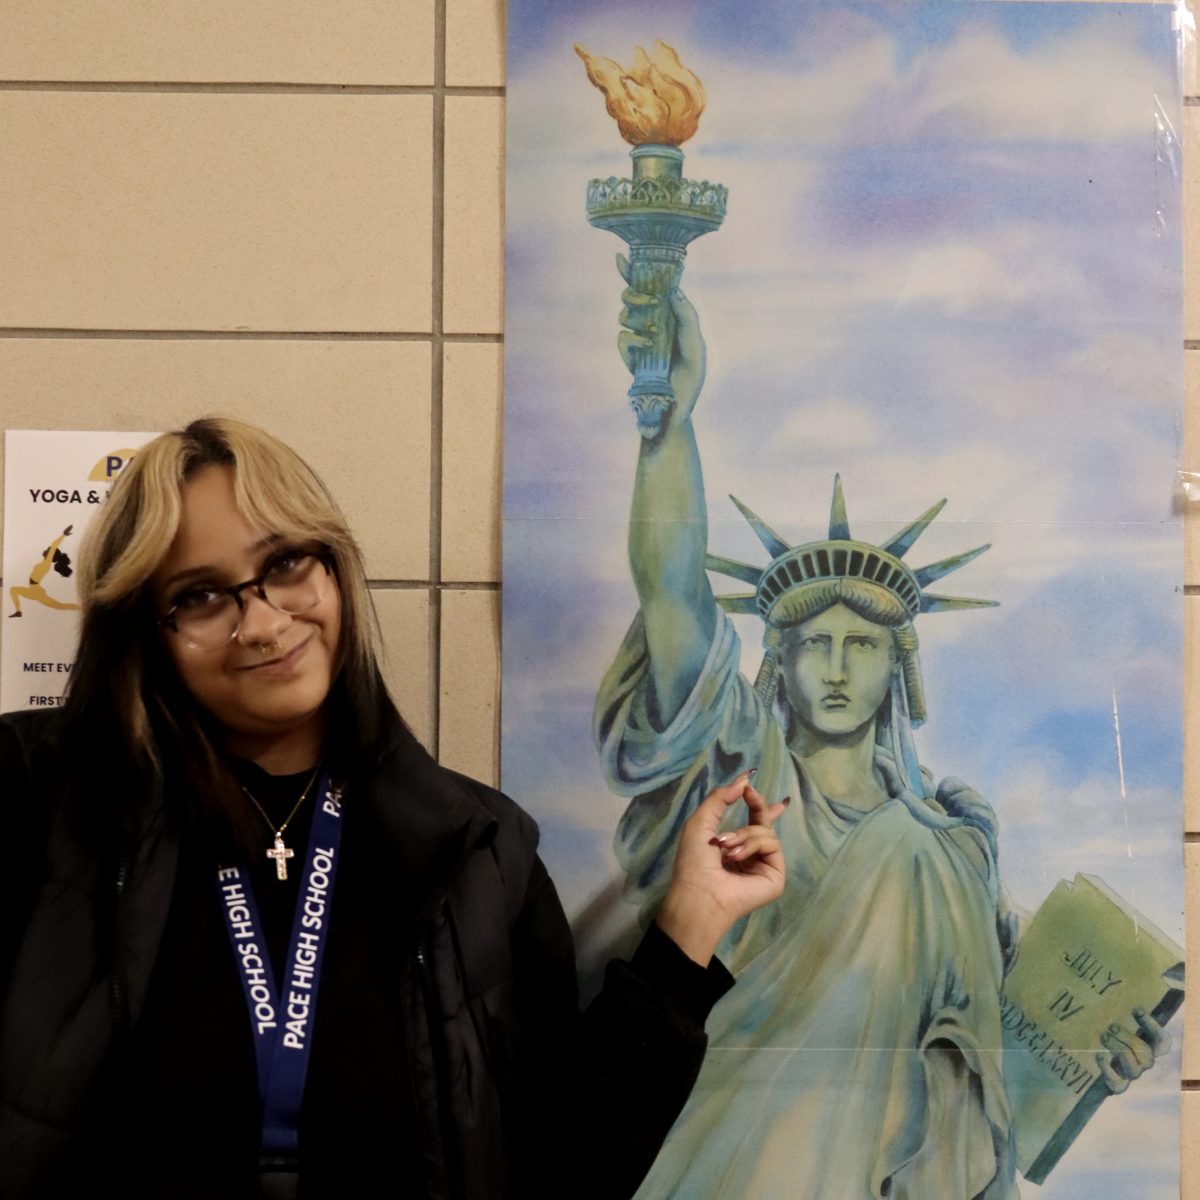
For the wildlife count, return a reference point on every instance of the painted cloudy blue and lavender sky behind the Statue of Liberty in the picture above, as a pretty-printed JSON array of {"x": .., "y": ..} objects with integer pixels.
[{"x": 951, "y": 267}]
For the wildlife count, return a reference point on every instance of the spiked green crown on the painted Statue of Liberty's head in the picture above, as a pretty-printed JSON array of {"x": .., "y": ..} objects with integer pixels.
[{"x": 842, "y": 557}]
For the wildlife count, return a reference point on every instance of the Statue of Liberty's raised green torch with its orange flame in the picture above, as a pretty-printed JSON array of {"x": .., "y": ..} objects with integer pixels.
[{"x": 657, "y": 106}]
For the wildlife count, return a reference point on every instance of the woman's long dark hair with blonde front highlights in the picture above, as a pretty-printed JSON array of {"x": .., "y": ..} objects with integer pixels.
[{"x": 122, "y": 667}]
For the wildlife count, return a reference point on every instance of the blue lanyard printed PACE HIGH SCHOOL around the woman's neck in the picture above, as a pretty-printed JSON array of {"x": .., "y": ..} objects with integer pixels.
[{"x": 283, "y": 1022}]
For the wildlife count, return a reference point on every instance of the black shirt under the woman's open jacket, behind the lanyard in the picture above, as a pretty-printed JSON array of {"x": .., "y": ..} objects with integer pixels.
[{"x": 189, "y": 1089}]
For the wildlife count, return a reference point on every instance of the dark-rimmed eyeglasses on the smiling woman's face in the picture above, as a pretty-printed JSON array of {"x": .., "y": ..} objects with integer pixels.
[{"x": 207, "y": 617}]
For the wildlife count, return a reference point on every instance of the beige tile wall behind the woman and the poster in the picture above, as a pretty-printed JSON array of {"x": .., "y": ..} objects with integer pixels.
[{"x": 292, "y": 212}]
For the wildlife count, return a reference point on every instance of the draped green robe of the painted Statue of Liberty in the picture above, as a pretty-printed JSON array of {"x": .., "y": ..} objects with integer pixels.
[{"x": 859, "y": 1057}]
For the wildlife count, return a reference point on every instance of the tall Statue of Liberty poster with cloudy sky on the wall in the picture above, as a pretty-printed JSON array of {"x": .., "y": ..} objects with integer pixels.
[{"x": 843, "y": 379}]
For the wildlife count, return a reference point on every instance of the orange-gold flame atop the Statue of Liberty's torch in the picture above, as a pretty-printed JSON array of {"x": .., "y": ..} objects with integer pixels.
[{"x": 658, "y": 100}]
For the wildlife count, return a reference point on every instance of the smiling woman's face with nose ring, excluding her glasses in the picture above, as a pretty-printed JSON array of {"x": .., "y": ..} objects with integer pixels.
[{"x": 271, "y": 681}]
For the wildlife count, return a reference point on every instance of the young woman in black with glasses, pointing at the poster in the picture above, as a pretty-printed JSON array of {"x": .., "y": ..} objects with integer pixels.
[{"x": 257, "y": 941}]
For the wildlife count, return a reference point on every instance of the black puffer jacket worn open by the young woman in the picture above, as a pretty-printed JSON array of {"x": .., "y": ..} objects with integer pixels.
[{"x": 518, "y": 1093}]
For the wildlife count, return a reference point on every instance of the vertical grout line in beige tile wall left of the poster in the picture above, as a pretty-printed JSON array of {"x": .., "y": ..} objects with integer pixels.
[{"x": 437, "y": 371}]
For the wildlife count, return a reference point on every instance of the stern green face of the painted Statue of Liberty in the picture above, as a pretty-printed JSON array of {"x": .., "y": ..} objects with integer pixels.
[{"x": 837, "y": 670}]
